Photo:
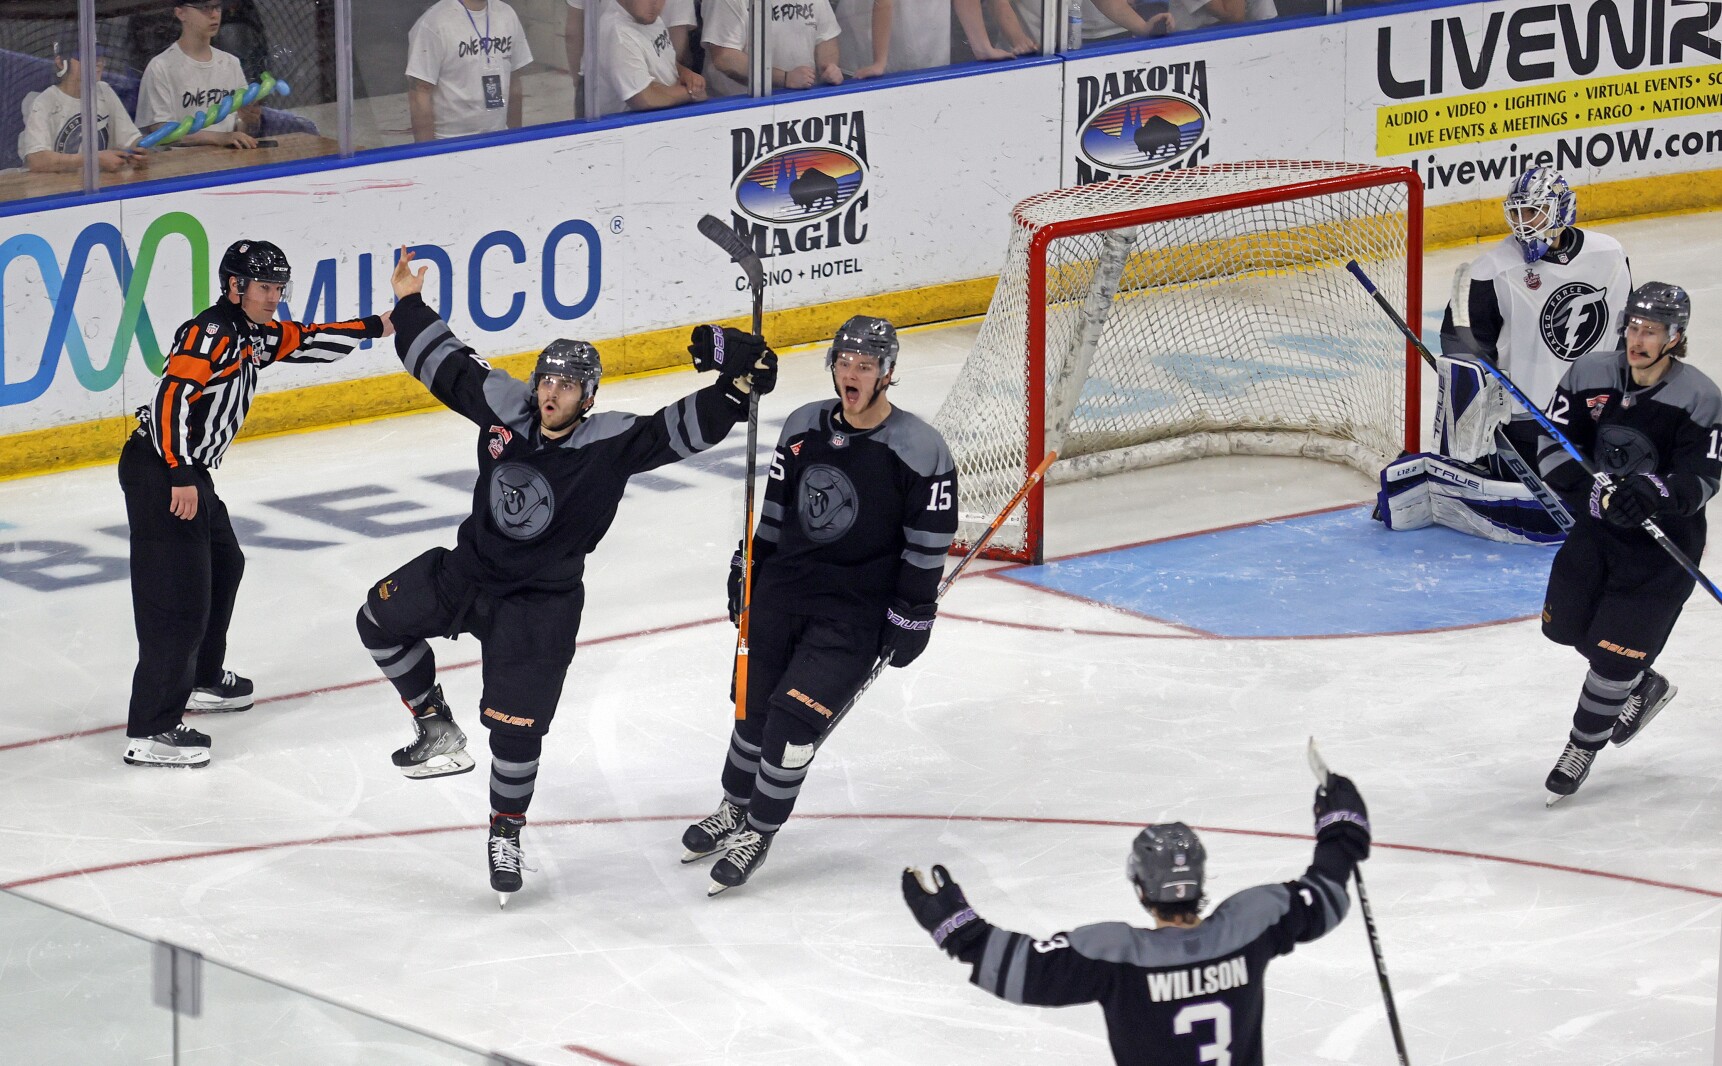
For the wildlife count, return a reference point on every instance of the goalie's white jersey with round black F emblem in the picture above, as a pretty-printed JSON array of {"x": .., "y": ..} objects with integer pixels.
[{"x": 1535, "y": 319}]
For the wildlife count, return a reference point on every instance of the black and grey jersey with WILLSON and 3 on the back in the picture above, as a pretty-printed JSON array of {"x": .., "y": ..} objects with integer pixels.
[{"x": 1174, "y": 996}]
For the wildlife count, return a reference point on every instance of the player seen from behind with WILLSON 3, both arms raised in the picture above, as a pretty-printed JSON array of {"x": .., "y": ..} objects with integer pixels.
[{"x": 1187, "y": 991}]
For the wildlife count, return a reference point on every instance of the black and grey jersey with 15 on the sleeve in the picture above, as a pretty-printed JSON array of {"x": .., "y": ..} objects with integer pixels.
[{"x": 855, "y": 519}]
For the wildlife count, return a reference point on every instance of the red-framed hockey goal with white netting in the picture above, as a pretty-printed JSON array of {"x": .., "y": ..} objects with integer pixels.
[{"x": 1184, "y": 314}]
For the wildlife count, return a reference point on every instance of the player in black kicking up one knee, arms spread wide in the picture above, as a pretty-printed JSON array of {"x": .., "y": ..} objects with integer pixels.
[{"x": 550, "y": 480}]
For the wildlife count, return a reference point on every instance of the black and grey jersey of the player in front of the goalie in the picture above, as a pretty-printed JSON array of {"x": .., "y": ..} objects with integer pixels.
[{"x": 1671, "y": 430}]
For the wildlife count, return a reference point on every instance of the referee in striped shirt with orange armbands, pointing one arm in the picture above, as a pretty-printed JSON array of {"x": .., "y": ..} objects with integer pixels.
[{"x": 185, "y": 561}]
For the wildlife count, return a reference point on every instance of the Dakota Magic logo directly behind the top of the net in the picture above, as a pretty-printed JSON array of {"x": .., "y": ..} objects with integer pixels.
[{"x": 1141, "y": 120}]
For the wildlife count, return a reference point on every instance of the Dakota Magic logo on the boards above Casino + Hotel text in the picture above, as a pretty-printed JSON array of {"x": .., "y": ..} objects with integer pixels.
[{"x": 802, "y": 183}]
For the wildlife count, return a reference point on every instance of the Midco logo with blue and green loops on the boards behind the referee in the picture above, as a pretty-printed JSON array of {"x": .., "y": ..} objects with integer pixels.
[{"x": 569, "y": 268}]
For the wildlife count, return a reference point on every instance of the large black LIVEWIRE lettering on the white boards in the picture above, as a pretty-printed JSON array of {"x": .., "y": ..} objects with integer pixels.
[{"x": 1453, "y": 54}]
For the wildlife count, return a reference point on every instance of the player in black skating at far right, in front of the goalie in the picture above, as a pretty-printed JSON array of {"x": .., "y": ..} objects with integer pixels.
[{"x": 1652, "y": 423}]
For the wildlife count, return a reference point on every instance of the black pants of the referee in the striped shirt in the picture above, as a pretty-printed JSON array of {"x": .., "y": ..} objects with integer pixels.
[{"x": 185, "y": 576}]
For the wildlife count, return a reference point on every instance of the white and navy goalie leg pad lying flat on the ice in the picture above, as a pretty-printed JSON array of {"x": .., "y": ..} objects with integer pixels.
[{"x": 1423, "y": 490}]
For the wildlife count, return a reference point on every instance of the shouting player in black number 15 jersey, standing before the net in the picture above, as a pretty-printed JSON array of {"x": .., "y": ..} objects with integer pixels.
[{"x": 858, "y": 516}]
